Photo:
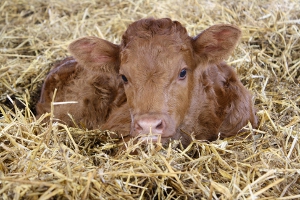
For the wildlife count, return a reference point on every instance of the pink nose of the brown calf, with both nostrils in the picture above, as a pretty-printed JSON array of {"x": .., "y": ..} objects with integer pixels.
[{"x": 143, "y": 126}]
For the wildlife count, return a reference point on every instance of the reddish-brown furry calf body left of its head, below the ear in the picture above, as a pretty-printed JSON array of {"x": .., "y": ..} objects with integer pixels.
[{"x": 96, "y": 93}]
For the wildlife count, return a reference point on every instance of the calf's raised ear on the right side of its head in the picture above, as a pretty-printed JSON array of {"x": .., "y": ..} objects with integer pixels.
[{"x": 216, "y": 43}]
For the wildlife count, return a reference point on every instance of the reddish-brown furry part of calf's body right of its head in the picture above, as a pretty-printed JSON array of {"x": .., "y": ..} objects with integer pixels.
[{"x": 223, "y": 104}]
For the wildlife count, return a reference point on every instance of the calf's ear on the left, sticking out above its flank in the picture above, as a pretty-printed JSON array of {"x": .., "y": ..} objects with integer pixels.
[{"x": 94, "y": 52}]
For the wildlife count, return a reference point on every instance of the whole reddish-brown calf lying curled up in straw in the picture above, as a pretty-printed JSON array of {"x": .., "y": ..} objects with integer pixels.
[{"x": 173, "y": 83}]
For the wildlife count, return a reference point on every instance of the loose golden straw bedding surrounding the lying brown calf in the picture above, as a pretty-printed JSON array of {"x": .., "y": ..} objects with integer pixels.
[{"x": 51, "y": 161}]
